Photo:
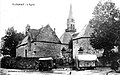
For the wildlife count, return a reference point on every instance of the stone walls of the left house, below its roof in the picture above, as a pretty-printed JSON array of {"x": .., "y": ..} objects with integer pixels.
[{"x": 40, "y": 49}]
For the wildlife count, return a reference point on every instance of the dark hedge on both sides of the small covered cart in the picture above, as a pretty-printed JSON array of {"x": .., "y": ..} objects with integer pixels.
[{"x": 26, "y": 63}]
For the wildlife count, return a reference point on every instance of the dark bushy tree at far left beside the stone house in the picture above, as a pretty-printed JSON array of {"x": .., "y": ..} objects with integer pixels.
[{"x": 11, "y": 40}]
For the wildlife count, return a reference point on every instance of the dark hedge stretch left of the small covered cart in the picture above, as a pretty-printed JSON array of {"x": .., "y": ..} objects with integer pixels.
[{"x": 20, "y": 63}]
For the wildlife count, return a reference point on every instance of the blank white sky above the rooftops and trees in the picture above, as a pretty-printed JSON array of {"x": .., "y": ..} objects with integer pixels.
[{"x": 38, "y": 13}]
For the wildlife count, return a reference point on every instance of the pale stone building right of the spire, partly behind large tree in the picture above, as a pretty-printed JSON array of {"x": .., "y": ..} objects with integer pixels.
[{"x": 81, "y": 43}]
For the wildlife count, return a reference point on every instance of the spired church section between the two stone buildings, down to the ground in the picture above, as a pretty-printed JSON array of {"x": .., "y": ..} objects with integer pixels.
[{"x": 66, "y": 38}]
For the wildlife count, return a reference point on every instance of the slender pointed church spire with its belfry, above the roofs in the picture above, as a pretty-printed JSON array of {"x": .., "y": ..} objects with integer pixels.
[{"x": 70, "y": 22}]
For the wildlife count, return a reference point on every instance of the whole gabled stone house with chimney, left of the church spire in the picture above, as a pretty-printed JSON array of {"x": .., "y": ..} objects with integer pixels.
[{"x": 41, "y": 42}]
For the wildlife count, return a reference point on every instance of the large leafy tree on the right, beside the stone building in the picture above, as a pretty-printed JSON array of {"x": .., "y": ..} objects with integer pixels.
[{"x": 106, "y": 28}]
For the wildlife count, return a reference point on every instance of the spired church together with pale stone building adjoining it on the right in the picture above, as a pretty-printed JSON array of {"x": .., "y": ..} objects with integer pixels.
[{"x": 77, "y": 44}]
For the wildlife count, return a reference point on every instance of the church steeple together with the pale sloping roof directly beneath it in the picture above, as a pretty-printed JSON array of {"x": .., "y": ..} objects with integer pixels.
[{"x": 67, "y": 35}]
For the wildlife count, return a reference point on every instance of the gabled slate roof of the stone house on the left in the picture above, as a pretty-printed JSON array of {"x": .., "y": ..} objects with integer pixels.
[{"x": 43, "y": 34}]
